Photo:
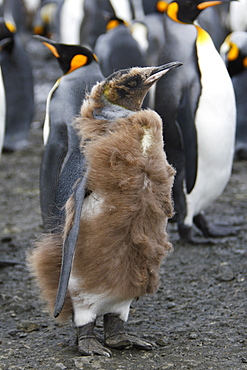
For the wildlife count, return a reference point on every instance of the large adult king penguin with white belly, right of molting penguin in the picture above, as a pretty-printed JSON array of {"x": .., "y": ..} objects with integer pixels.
[{"x": 197, "y": 105}]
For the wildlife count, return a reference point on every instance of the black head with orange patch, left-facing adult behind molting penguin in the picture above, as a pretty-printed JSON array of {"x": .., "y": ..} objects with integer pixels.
[{"x": 69, "y": 57}]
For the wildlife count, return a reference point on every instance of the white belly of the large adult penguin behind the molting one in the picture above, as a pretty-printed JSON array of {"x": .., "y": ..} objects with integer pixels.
[{"x": 215, "y": 124}]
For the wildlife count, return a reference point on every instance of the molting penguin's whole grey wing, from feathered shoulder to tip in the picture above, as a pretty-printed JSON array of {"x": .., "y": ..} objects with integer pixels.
[{"x": 72, "y": 184}]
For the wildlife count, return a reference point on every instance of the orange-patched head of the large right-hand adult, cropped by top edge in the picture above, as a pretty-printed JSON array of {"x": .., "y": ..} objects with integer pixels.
[{"x": 186, "y": 11}]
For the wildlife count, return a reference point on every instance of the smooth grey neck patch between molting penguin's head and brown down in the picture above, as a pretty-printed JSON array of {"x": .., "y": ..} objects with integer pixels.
[{"x": 111, "y": 112}]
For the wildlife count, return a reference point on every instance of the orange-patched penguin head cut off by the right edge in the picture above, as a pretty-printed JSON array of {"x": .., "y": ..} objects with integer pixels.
[{"x": 234, "y": 52}]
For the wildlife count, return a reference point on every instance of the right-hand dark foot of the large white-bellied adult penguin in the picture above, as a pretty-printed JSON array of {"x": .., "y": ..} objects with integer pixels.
[{"x": 210, "y": 230}]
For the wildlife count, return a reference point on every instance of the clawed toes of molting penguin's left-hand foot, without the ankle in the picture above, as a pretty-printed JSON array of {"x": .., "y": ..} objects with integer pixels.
[{"x": 91, "y": 346}]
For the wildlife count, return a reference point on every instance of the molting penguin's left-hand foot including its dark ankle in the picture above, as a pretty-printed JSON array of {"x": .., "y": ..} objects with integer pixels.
[{"x": 88, "y": 344}]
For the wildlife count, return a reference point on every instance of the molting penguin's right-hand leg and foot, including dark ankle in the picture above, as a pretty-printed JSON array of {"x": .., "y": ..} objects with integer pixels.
[{"x": 116, "y": 336}]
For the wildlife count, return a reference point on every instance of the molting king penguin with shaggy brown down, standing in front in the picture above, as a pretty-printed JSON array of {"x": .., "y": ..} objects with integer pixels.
[{"x": 115, "y": 229}]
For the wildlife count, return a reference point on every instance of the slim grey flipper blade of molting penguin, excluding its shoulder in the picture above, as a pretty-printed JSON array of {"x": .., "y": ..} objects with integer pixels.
[{"x": 70, "y": 244}]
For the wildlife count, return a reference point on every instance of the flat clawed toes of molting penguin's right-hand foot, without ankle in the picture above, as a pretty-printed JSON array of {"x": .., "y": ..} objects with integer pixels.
[{"x": 126, "y": 341}]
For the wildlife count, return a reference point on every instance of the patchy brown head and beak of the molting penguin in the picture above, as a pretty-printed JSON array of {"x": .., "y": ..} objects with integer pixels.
[{"x": 128, "y": 87}]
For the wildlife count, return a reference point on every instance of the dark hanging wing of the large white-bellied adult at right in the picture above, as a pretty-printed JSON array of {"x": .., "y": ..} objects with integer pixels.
[{"x": 186, "y": 122}]
